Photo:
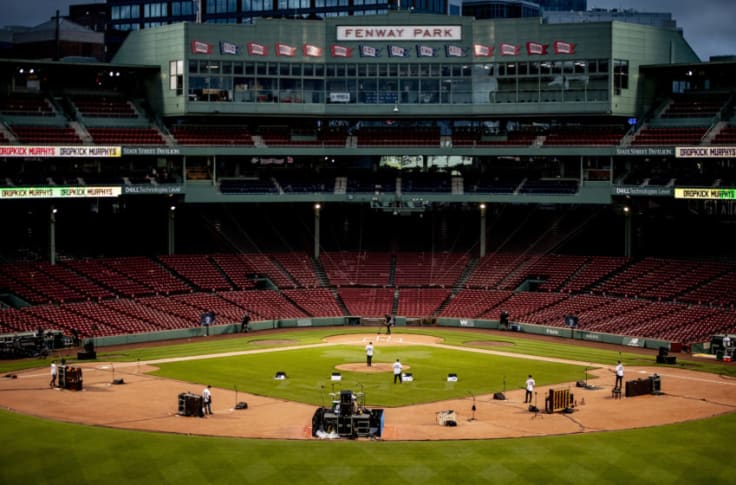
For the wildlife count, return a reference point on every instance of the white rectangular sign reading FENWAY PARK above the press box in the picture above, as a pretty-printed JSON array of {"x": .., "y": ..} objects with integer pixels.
[{"x": 399, "y": 32}]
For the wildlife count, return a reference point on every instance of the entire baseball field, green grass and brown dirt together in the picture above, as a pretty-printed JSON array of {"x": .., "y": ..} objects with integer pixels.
[{"x": 131, "y": 432}]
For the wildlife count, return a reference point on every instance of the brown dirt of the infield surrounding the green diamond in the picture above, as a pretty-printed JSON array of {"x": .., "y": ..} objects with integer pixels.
[{"x": 146, "y": 402}]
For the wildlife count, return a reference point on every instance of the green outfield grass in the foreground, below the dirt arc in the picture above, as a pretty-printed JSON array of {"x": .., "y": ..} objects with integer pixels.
[{"x": 37, "y": 451}]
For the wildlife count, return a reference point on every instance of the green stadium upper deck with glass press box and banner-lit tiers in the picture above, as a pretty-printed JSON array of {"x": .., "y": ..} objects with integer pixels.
[{"x": 400, "y": 111}]
